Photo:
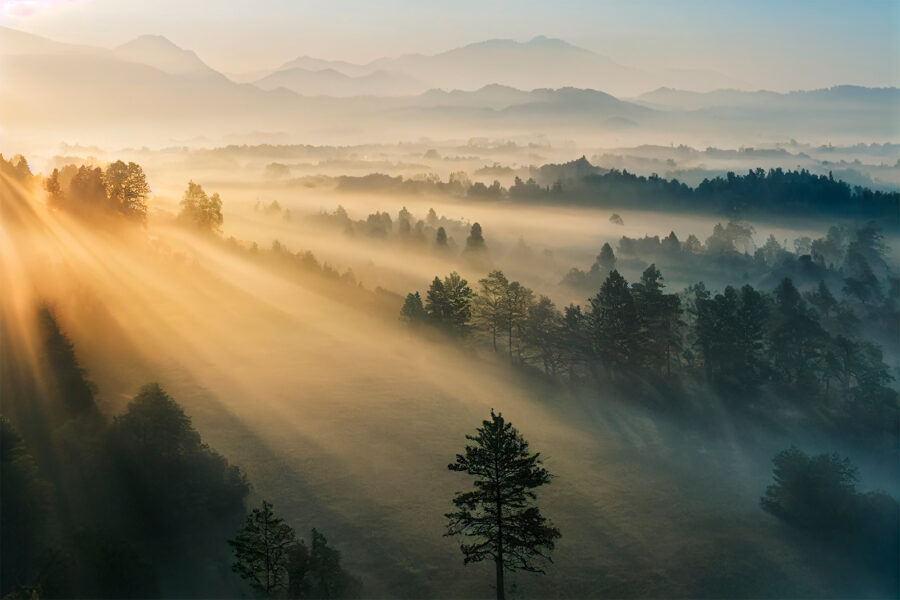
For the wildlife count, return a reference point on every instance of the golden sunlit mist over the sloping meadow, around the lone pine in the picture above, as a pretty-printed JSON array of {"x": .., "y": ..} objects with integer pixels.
[{"x": 346, "y": 420}]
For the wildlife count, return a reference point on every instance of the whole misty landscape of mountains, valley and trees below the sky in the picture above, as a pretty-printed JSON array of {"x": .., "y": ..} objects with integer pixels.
[{"x": 288, "y": 296}]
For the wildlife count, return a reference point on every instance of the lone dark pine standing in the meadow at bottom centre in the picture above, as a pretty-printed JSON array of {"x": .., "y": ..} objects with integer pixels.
[{"x": 499, "y": 515}]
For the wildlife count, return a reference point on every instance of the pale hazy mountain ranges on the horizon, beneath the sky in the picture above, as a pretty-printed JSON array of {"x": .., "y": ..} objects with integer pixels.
[{"x": 152, "y": 86}]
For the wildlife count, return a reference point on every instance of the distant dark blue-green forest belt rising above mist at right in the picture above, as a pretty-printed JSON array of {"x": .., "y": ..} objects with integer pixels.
[{"x": 757, "y": 193}]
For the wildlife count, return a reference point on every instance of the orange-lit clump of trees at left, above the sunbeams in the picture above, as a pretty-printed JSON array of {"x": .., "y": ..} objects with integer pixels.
[{"x": 119, "y": 189}]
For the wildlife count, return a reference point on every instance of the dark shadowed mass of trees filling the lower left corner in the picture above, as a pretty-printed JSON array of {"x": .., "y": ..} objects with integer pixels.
[{"x": 138, "y": 506}]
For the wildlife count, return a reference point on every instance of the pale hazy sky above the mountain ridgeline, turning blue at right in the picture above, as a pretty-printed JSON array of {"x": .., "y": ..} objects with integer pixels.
[{"x": 765, "y": 43}]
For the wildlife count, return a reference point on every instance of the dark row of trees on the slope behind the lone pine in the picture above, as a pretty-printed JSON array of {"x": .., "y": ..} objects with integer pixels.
[{"x": 737, "y": 341}]
